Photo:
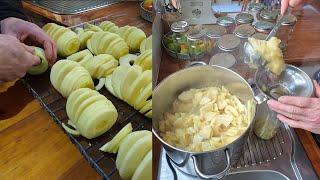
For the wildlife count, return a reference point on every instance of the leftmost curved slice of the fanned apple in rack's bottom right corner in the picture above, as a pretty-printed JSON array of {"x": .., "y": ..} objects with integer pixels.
[{"x": 127, "y": 143}]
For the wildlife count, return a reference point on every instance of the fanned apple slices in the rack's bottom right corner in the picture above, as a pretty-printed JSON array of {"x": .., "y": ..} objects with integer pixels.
[{"x": 134, "y": 159}]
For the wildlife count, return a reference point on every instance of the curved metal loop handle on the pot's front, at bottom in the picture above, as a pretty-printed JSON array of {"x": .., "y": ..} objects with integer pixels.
[{"x": 220, "y": 175}]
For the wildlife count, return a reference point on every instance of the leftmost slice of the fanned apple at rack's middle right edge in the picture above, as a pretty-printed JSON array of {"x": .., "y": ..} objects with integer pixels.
[{"x": 117, "y": 78}]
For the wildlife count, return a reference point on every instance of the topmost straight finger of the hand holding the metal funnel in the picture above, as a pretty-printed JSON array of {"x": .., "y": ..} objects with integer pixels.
[{"x": 297, "y": 101}]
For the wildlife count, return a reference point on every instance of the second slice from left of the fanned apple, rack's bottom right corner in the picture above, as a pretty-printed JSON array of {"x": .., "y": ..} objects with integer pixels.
[{"x": 134, "y": 156}]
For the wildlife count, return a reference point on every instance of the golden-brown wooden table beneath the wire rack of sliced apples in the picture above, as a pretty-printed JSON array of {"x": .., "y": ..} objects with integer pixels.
[{"x": 32, "y": 146}]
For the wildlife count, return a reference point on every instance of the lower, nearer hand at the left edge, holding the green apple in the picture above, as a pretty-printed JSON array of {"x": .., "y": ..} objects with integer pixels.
[{"x": 16, "y": 58}]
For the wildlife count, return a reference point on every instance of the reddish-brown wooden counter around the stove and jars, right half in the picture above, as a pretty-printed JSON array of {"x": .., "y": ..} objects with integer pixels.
[{"x": 303, "y": 51}]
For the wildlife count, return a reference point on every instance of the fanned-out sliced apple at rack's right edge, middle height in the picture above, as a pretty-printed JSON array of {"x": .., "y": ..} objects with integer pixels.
[{"x": 132, "y": 85}]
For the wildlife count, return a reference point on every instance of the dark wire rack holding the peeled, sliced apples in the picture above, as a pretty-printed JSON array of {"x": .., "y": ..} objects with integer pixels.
[{"x": 104, "y": 163}]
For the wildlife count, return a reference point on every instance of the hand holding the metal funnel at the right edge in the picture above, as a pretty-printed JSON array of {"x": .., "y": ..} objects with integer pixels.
[{"x": 299, "y": 112}]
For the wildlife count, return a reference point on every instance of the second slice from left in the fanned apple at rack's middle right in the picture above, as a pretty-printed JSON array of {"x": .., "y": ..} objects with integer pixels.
[{"x": 132, "y": 74}]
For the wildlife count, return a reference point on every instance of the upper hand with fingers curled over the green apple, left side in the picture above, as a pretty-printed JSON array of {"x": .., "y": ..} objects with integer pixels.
[{"x": 24, "y": 30}]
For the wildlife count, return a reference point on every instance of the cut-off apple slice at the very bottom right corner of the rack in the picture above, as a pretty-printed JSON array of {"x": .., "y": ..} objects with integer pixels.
[{"x": 144, "y": 170}]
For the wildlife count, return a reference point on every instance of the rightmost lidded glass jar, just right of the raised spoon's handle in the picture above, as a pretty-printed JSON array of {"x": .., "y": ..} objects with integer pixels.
[{"x": 285, "y": 30}]
